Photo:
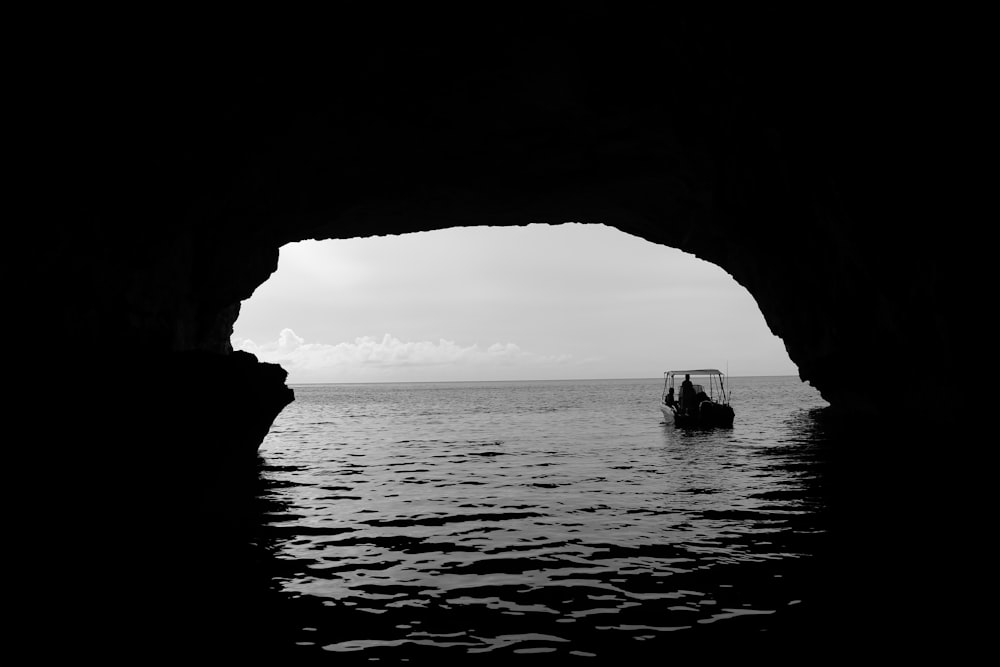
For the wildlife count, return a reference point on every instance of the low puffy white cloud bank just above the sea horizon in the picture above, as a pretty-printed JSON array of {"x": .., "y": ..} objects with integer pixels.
[{"x": 368, "y": 357}]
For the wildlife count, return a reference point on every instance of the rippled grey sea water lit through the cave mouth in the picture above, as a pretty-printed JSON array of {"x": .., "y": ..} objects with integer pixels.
[{"x": 559, "y": 519}]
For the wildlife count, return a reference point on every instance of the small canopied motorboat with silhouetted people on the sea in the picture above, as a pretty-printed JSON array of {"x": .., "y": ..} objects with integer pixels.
[{"x": 697, "y": 407}]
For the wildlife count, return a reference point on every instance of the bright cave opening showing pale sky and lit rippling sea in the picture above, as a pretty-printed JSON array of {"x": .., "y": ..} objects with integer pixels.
[{"x": 473, "y": 419}]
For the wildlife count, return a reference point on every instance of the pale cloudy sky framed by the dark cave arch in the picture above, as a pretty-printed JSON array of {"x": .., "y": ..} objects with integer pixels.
[{"x": 539, "y": 302}]
